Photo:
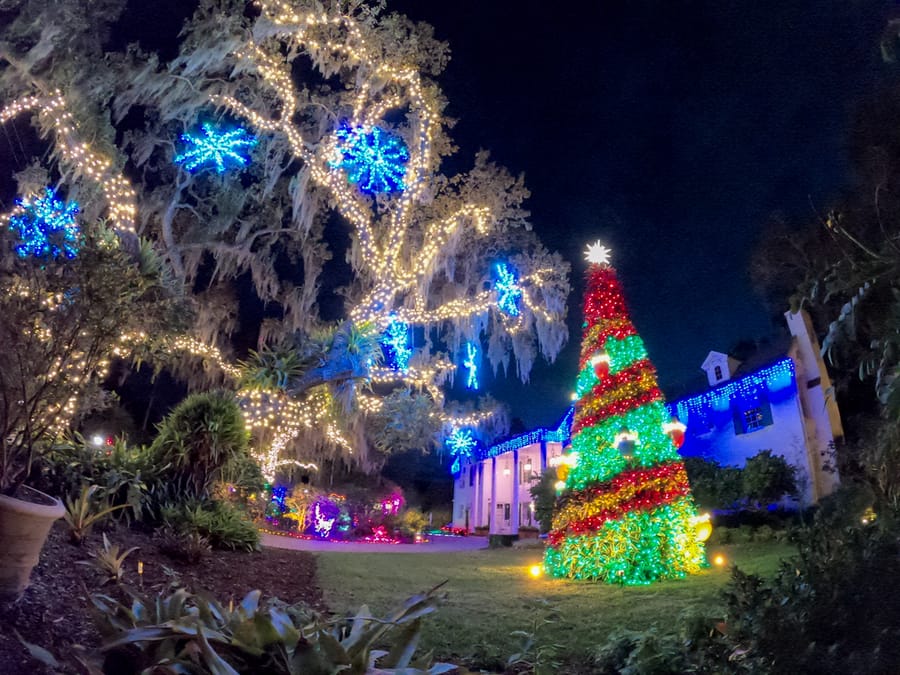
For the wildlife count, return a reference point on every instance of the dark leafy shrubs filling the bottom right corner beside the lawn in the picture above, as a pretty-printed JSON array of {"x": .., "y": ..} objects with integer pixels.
[{"x": 829, "y": 609}]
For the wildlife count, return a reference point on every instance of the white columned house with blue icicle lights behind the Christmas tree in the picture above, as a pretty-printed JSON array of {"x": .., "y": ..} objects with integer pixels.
[{"x": 781, "y": 404}]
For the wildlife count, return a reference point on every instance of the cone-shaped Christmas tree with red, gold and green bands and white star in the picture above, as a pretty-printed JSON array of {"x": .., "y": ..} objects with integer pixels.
[{"x": 626, "y": 514}]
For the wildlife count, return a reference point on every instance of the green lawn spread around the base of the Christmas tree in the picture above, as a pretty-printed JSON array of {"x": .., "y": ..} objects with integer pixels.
[{"x": 490, "y": 595}]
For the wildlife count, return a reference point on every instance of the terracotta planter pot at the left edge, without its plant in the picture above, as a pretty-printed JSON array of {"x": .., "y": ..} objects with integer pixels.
[{"x": 24, "y": 525}]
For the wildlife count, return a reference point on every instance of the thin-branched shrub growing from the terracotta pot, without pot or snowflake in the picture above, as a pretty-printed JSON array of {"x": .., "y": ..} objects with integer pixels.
[{"x": 50, "y": 358}]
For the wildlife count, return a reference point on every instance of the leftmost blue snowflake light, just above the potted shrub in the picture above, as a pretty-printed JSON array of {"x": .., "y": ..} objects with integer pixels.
[{"x": 46, "y": 227}]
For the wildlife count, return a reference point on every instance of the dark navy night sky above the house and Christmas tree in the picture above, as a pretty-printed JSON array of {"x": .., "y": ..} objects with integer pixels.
[{"x": 671, "y": 130}]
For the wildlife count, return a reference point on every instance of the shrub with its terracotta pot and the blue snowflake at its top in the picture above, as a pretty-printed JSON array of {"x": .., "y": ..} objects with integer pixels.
[{"x": 67, "y": 295}]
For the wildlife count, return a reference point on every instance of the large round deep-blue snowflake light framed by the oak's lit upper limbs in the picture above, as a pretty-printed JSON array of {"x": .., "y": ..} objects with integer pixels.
[{"x": 374, "y": 159}]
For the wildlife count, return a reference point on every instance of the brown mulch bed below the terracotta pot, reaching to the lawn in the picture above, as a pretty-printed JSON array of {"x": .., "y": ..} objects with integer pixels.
[{"x": 54, "y": 612}]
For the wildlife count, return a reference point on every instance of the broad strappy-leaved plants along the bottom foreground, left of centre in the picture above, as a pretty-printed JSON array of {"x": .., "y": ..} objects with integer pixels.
[{"x": 180, "y": 632}]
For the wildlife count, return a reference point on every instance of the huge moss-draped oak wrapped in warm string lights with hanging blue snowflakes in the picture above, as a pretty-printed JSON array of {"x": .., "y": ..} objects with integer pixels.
[{"x": 241, "y": 169}]
